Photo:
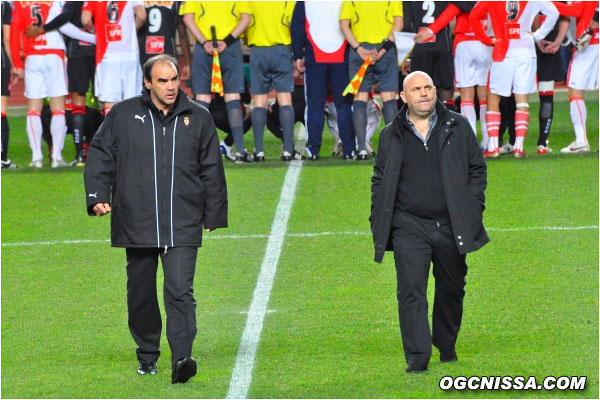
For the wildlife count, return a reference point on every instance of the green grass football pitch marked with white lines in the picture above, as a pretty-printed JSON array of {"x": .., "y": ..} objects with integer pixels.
[{"x": 328, "y": 323}]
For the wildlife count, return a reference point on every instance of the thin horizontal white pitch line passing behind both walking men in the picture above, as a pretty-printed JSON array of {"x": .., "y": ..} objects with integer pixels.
[{"x": 307, "y": 234}]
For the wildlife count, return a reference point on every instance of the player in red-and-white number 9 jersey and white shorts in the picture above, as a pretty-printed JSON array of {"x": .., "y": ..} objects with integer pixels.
[{"x": 513, "y": 60}]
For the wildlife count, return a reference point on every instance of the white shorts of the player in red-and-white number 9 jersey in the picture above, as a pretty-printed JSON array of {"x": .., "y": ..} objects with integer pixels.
[{"x": 518, "y": 74}]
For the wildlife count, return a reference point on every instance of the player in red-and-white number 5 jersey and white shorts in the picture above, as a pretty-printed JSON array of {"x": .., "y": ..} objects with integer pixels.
[{"x": 45, "y": 75}]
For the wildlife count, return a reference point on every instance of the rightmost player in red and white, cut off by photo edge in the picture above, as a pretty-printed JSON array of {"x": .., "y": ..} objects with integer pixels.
[{"x": 583, "y": 70}]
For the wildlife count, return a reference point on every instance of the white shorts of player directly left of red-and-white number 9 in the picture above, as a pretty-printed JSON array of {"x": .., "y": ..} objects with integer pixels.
[{"x": 472, "y": 63}]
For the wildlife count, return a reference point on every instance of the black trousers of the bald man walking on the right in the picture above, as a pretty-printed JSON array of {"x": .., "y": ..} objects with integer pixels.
[{"x": 417, "y": 243}]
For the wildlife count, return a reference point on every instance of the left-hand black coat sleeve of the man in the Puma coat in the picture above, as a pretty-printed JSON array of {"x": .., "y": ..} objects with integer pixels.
[{"x": 100, "y": 167}]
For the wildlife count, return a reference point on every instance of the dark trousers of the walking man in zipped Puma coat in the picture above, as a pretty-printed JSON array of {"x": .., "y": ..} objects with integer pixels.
[{"x": 145, "y": 324}]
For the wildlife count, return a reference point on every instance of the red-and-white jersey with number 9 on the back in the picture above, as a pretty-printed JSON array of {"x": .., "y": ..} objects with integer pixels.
[{"x": 511, "y": 22}]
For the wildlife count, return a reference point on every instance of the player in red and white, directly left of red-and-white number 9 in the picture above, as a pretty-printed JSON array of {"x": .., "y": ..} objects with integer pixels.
[{"x": 472, "y": 61}]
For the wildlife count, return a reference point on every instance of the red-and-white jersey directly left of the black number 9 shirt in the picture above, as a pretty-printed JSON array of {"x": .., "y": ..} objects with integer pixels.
[{"x": 116, "y": 34}]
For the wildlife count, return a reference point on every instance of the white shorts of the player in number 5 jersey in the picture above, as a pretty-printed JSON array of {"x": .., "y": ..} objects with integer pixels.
[{"x": 45, "y": 76}]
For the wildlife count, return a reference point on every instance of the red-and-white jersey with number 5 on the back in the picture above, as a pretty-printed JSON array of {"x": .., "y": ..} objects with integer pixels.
[{"x": 26, "y": 13}]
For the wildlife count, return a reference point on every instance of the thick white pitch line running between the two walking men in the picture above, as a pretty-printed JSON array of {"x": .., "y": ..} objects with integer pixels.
[{"x": 241, "y": 376}]
